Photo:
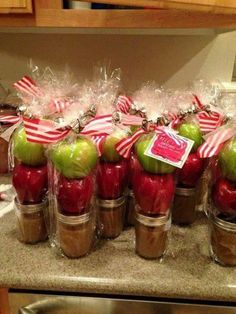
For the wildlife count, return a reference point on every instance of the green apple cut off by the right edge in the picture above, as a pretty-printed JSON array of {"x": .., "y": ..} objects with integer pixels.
[{"x": 227, "y": 159}]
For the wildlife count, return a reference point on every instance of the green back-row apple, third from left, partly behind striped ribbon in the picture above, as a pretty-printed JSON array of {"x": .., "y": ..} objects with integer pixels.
[{"x": 109, "y": 153}]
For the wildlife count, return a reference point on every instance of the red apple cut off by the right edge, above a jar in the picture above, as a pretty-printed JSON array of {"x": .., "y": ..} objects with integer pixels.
[{"x": 224, "y": 196}]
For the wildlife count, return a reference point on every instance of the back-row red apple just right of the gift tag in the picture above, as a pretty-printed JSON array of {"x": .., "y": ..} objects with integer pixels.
[{"x": 191, "y": 171}]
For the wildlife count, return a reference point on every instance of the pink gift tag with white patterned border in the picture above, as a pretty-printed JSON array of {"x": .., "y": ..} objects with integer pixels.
[{"x": 169, "y": 147}]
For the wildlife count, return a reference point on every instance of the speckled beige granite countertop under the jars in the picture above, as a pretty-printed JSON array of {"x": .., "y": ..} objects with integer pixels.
[{"x": 186, "y": 271}]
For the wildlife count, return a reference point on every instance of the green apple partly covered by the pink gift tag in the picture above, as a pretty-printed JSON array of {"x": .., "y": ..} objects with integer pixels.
[{"x": 150, "y": 164}]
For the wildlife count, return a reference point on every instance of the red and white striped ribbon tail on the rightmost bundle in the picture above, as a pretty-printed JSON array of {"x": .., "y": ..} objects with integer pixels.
[{"x": 215, "y": 141}]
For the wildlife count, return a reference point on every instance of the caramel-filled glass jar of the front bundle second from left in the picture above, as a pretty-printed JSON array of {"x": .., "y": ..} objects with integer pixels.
[{"x": 76, "y": 234}]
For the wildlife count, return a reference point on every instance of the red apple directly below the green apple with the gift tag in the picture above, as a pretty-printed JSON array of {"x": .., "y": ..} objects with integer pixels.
[{"x": 154, "y": 192}]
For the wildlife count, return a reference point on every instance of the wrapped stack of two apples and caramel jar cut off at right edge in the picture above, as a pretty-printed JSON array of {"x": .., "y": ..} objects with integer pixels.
[{"x": 221, "y": 211}]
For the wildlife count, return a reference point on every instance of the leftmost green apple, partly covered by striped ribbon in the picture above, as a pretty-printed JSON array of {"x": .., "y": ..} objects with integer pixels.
[{"x": 31, "y": 154}]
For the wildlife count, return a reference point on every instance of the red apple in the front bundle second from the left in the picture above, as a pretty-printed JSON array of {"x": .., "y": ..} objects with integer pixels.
[{"x": 74, "y": 195}]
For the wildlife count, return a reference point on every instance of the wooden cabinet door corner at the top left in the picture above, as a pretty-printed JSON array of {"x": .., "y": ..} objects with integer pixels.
[{"x": 15, "y": 6}]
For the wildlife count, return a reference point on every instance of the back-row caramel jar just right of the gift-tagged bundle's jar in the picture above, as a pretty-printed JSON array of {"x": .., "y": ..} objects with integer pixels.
[{"x": 184, "y": 207}]
